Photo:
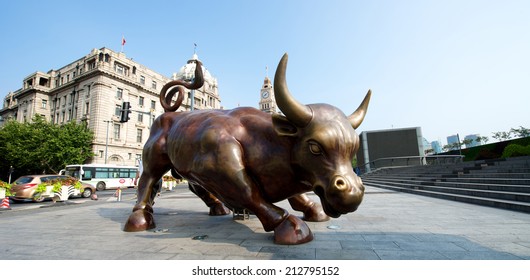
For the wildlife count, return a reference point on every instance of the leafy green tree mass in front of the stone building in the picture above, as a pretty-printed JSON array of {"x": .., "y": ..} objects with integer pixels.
[{"x": 41, "y": 147}]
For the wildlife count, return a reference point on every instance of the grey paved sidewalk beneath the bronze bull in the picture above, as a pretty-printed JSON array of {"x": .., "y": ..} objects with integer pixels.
[{"x": 388, "y": 225}]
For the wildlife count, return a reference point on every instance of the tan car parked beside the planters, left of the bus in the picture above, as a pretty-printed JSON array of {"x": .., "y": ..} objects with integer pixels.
[{"x": 24, "y": 187}]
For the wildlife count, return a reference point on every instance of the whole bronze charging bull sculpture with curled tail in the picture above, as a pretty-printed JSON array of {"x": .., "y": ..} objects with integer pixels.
[{"x": 247, "y": 159}]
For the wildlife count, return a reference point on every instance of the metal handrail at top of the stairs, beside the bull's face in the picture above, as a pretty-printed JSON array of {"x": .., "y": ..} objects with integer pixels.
[{"x": 408, "y": 161}]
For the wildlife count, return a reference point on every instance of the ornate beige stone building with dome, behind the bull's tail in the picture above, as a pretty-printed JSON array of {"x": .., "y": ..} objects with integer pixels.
[{"x": 92, "y": 90}]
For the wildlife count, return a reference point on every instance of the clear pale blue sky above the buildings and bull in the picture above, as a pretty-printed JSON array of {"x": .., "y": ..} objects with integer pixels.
[{"x": 446, "y": 66}]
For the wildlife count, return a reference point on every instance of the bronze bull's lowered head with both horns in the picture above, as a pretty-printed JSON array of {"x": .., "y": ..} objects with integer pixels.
[{"x": 325, "y": 144}]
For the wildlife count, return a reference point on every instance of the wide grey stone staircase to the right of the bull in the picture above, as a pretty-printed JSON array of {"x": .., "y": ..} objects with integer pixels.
[{"x": 501, "y": 183}]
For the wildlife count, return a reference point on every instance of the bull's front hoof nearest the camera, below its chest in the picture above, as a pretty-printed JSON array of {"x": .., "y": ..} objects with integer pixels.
[{"x": 292, "y": 231}]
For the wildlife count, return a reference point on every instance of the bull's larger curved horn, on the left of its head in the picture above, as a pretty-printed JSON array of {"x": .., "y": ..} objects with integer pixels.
[{"x": 299, "y": 114}]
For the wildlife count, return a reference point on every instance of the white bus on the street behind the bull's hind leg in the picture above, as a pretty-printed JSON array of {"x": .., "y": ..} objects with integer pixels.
[{"x": 103, "y": 176}]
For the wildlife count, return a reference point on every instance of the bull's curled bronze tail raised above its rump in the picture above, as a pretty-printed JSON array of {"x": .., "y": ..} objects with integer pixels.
[{"x": 179, "y": 85}]
